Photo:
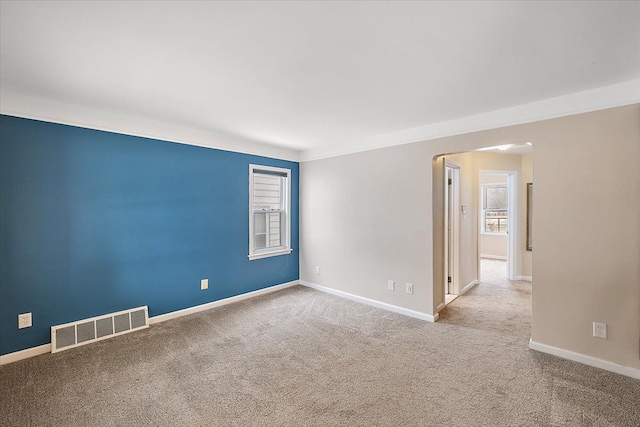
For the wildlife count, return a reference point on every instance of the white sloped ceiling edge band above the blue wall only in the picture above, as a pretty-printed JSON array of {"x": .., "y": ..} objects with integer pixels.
[{"x": 29, "y": 107}]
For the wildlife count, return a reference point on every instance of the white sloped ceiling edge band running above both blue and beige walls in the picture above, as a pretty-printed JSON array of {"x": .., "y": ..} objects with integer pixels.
[{"x": 20, "y": 105}]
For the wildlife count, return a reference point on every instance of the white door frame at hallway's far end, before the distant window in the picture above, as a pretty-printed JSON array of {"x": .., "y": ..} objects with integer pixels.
[{"x": 512, "y": 214}]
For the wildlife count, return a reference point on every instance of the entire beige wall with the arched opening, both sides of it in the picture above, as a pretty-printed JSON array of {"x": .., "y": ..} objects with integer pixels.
[{"x": 373, "y": 216}]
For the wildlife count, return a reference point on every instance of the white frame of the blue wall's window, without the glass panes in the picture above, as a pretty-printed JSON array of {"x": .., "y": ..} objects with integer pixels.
[{"x": 285, "y": 210}]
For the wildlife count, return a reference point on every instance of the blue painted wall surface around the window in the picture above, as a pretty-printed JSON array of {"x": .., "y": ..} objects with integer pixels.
[{"x": 94, "y": 222}]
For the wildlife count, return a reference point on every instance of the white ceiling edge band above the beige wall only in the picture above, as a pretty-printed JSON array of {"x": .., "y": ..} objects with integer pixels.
[{"x": 616, "y": 95}]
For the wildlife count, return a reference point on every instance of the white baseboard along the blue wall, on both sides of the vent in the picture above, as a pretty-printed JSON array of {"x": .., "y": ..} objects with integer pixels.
[{"x": 46, "y": 348}]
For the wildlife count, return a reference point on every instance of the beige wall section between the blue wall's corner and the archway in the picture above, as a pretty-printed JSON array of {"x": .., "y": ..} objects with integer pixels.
[{"x": 362, "y": 222}]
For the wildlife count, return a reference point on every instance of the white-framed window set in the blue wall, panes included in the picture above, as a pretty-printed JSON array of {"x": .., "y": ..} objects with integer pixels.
[{"x": 269, "y": 211}]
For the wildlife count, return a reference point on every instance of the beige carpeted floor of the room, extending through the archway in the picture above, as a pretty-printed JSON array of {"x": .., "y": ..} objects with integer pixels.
[{"x": 300, "y": 357}]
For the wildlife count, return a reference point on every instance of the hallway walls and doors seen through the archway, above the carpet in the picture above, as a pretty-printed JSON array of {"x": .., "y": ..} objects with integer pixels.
[{"x": 459, "y": 215}]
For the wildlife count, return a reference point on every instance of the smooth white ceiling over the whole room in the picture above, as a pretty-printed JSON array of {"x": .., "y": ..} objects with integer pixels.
[{"x": 307, "y": 76}]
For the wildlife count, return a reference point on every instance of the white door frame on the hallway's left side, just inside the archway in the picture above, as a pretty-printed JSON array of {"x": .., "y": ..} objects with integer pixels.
[{"x": 454, "y": 287}]
